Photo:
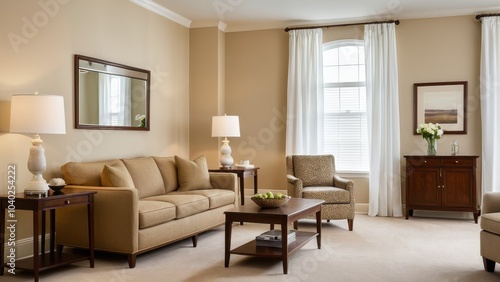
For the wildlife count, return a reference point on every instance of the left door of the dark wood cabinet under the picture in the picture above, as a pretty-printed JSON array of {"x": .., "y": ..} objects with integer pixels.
[{"x": 423, "y": 187}]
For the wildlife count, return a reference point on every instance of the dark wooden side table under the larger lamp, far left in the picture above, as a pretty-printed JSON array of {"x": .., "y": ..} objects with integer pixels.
[{"x": 43, "y": 261}]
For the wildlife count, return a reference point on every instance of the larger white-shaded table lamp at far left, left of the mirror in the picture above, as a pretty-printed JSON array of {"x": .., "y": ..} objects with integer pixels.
[{"x": 37, "y": 114}]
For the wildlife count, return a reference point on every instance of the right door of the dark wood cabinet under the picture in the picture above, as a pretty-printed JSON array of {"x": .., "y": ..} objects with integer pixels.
[{"x": 457, "y": 190}]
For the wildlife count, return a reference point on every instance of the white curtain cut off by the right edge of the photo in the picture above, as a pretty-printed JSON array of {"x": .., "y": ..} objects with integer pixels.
[{"x": 490, "y": 103}]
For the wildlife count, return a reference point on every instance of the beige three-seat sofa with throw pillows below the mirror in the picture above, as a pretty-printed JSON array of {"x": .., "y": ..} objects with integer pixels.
[{"x": 144, "y": 203}]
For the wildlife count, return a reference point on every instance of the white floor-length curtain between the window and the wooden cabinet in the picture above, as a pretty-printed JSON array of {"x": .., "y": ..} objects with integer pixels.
[{"x": 383, "y": 120}]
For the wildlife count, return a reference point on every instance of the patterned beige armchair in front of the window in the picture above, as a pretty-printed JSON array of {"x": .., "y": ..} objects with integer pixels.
[{"x": 314, "y": 177}]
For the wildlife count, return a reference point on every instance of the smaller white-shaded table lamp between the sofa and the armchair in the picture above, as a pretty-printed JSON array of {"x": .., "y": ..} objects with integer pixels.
[{"x": 225, "y": 126}]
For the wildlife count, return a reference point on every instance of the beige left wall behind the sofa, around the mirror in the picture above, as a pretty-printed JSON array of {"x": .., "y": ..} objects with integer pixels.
[{"x": 113, "y": 30}]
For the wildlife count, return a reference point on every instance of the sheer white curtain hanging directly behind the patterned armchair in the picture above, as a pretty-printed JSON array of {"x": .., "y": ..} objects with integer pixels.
[{"x": 304, "y": 127}]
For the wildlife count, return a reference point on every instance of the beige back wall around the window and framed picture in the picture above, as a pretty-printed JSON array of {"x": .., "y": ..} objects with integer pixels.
[{"x": 429, "y": 50}]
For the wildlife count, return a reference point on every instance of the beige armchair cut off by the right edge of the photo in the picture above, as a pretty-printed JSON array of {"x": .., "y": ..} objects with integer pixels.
[{"x": 490, "y": 233}]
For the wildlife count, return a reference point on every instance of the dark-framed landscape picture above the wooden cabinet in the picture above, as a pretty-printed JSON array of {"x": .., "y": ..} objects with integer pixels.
[{"x": 444, "y": 103}]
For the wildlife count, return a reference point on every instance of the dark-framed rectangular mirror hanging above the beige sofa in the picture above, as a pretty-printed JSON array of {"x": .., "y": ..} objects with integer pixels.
[{"x": 110, "y": 95}]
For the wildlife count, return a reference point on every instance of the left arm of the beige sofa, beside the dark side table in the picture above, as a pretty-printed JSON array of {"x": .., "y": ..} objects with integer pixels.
[{"x": 116, "y": 220}]
